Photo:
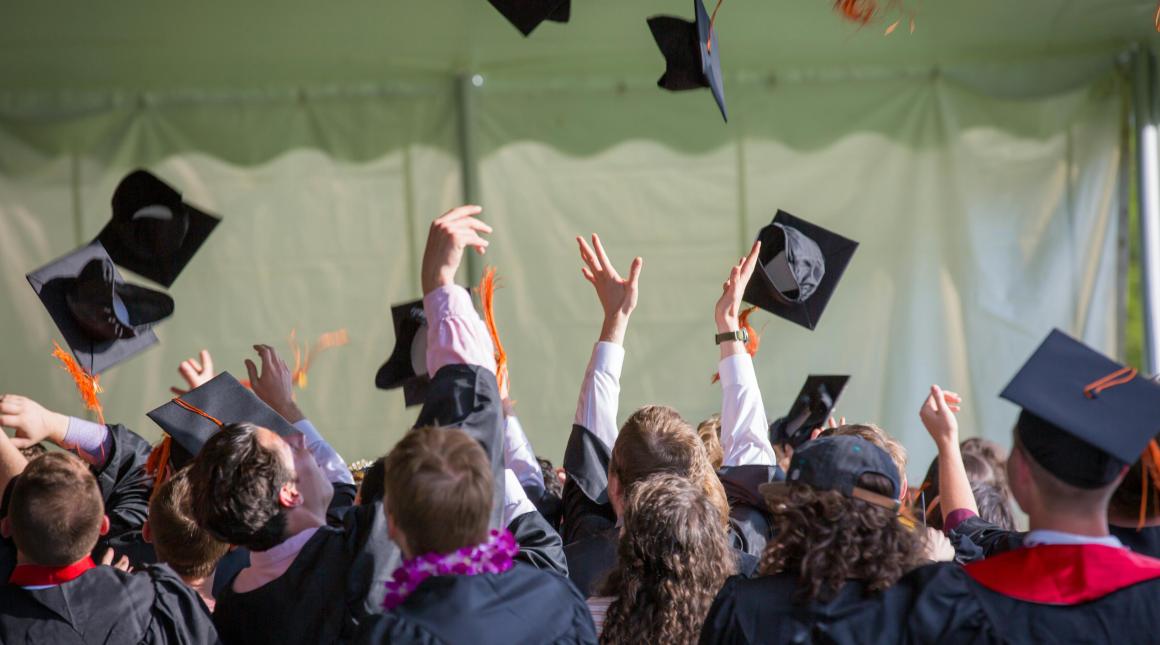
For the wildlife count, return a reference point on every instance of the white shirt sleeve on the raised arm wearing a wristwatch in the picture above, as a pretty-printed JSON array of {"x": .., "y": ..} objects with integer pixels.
[{"x": 745, "y": 431}]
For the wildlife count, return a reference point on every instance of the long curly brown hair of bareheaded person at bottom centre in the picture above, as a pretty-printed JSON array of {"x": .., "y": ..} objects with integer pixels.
[{"x": 672, "y": 561}]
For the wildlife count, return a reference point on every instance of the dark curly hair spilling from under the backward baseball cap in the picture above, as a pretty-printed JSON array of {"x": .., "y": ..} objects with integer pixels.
[{"x": 828, "y": 539}]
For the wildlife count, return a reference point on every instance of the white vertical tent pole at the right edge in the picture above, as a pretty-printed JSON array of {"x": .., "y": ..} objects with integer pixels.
[{"x": 1148, "y": 150}]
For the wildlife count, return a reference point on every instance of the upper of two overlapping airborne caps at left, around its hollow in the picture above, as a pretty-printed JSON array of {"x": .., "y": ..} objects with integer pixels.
[{"x": 161, "y": 270}]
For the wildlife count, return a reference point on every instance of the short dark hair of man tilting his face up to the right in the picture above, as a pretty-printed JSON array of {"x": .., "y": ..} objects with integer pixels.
[{"x": 235, "y": 483}]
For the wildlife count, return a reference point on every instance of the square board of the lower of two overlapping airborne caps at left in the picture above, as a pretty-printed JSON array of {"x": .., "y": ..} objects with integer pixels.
[{"x": 52, "y": 284}]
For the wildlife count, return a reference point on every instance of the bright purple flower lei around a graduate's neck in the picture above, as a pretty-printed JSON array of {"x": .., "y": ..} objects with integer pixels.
[{"x": 492, "y": 556}]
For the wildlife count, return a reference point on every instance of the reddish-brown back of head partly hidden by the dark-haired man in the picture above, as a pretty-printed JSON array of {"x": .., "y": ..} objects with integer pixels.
[{"x": 179, "y": 542}]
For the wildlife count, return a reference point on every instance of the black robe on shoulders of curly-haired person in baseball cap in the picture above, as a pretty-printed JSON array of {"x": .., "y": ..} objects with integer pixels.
[{"x": 764, "y": 611}]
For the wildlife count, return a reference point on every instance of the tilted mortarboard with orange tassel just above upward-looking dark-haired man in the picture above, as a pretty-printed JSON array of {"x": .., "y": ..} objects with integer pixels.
[{"x": 193, "y": 418}]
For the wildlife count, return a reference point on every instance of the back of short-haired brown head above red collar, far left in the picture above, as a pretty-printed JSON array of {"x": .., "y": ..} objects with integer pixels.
[{"x": 56, "y": 511}]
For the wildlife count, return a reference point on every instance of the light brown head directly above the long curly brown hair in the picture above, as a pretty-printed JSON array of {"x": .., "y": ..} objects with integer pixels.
[{"x": 657, "y": 440}]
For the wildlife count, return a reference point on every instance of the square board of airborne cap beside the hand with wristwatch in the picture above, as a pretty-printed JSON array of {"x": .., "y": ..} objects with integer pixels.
[{"x": 837, "y": 251}]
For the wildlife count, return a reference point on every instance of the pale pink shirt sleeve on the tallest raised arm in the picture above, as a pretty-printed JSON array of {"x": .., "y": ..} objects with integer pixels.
[{"x": 456, "y": 335}]
